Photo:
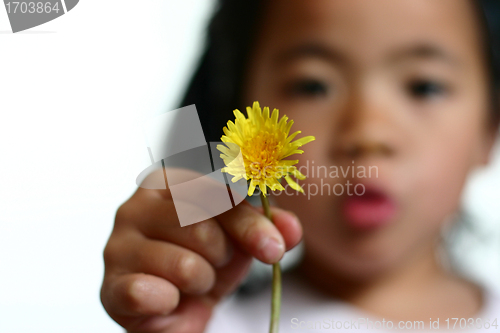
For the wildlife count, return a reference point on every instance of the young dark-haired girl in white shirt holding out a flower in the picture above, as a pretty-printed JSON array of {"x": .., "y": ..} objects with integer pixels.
[{"x": 406, "y": 88}]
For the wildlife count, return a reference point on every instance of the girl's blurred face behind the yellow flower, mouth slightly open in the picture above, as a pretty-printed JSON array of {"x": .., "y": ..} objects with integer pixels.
[{"x": 396, "y": 85}]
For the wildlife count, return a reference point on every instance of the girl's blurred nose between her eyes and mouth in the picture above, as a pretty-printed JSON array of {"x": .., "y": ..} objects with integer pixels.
[{"x": 366, "y": 128}]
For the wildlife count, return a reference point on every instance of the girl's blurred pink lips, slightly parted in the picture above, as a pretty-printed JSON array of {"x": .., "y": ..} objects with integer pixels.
[{"x": 373, "y": 209}]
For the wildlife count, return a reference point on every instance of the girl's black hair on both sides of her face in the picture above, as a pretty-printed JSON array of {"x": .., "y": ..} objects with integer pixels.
[{"x": 216, "y": 87}]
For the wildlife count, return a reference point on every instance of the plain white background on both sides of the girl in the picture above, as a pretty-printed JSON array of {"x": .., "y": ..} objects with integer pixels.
[{"x": 72, "y": 95}]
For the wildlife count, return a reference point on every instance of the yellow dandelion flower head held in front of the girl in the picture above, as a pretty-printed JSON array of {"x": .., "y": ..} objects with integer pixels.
[{"x": 264, "y": 143}]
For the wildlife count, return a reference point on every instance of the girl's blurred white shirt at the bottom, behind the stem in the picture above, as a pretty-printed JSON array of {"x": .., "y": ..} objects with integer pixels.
[{"x": 305, "y": 310}]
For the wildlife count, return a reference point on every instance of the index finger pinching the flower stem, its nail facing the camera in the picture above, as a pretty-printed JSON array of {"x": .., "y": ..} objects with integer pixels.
[{"x": 253, "y": 232}]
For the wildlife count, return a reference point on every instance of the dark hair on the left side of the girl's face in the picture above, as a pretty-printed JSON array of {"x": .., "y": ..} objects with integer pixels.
[{"x": 216, "y": 87}]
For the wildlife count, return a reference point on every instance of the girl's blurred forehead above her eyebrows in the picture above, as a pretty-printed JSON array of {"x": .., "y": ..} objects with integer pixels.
[{"x": 366, "y": 29}]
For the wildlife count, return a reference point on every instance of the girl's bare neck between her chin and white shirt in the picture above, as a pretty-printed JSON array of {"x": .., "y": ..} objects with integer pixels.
[{"x": 420, "y": 279}]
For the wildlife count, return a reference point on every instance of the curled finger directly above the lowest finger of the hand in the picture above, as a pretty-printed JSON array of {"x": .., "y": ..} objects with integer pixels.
[{"x": 187, "y": 270}]
